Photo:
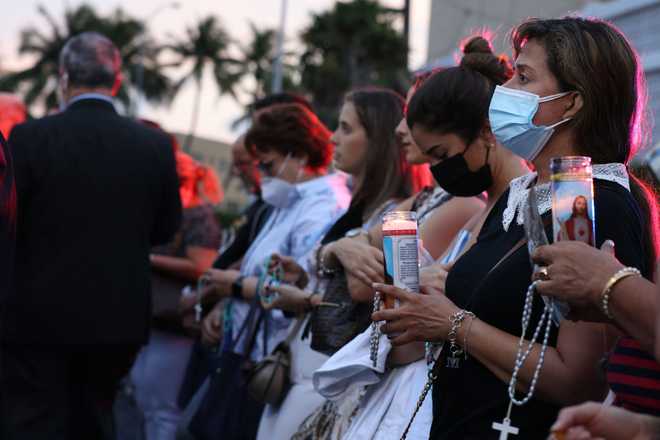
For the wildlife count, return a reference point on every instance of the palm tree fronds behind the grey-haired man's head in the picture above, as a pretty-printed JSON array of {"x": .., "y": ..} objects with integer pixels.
[{"x": 39, "y": 81}]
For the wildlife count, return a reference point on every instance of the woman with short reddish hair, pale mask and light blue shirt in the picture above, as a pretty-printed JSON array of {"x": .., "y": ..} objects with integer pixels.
[{"x": 293, "y": 150}]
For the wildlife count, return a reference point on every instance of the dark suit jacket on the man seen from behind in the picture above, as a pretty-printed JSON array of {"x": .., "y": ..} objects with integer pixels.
[{"x": 95, "y": 192}]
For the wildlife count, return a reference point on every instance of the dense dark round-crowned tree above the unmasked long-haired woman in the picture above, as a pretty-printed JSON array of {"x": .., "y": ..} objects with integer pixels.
[{"x": 351, "y": 45}]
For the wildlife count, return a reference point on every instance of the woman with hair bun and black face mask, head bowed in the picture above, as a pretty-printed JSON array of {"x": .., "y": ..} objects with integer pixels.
[{"x": 455, "y": 101}]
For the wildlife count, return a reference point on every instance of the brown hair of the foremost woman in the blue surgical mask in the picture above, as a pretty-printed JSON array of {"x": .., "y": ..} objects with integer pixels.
[{"x": 594, "y": 58}]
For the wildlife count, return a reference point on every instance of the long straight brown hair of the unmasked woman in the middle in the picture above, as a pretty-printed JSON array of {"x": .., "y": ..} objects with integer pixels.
[{"x": 388, "y": 174}]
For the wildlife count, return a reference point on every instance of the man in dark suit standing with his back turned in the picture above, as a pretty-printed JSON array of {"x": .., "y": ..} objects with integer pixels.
[{"x": 95, "y": 192}]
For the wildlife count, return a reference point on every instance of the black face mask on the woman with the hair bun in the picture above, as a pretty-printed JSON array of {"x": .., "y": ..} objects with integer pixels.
[{"x": 454, "y": 176}]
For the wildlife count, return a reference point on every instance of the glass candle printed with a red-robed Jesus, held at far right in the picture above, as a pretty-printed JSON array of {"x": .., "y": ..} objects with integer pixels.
[{"x": 573, "y": 199}]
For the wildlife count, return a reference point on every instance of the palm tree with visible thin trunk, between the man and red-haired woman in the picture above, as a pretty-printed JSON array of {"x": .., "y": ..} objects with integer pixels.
[{"x": 206, "y": 47}]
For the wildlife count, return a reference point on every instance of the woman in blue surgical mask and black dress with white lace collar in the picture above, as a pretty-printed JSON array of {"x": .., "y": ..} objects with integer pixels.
[{"x": 581, "y": 98}]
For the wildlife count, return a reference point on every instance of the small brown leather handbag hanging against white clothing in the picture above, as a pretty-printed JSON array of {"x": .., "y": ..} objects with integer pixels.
[{"x": 269, "y": 381}]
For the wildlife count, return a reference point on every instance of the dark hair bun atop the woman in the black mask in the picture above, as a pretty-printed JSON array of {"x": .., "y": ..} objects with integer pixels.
[{"x": 478, "y": 56}]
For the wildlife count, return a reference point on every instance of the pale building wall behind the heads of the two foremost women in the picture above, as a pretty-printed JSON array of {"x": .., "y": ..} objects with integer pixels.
[{"x": 452, "y": 20}]
